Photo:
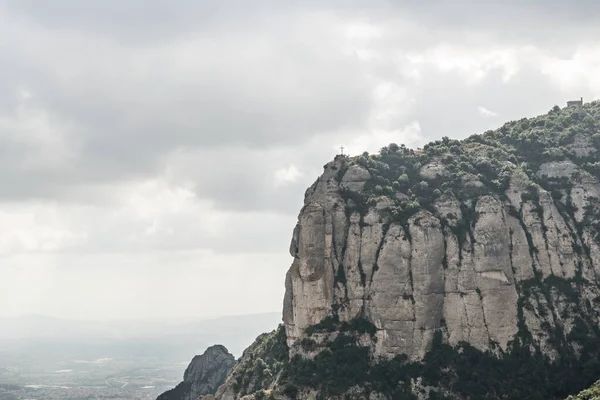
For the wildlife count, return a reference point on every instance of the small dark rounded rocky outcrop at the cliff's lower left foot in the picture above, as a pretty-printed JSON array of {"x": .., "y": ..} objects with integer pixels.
[{"x": 203, "y": 376}]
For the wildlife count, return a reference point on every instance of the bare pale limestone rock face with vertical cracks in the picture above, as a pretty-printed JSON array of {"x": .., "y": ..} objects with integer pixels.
[{"x": 465, "y": 276}]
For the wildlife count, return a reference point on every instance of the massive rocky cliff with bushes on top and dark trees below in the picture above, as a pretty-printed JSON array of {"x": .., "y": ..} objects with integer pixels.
[{"x": 466, "y": 269}]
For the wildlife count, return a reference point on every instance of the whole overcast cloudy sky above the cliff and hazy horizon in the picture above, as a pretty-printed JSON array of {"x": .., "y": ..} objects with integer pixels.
[{"x": 154, "y": 154}]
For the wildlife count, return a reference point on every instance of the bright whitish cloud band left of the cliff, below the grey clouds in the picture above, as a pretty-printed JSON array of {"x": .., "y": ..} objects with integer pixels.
[{"x": 146, "y": 216}]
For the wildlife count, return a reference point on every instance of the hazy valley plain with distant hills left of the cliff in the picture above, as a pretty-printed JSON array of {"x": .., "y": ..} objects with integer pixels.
[{"x": 45, "y": 358}]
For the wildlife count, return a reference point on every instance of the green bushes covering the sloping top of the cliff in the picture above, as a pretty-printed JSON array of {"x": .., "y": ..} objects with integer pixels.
[{"x": 480, "y": 164}]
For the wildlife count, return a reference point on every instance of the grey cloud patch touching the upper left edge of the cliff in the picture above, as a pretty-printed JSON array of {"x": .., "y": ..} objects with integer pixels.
[{"x": 246, "y": 180}]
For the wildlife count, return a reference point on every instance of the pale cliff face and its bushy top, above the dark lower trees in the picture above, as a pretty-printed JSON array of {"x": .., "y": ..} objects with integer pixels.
[{"x": 457, "y": 239}]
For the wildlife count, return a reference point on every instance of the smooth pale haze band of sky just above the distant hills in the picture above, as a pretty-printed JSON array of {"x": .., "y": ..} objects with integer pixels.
[{"x": 154, "y": 285}]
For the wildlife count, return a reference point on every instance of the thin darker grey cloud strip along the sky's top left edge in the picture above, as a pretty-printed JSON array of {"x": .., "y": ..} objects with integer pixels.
[{"x": 138, "y": 21}]
